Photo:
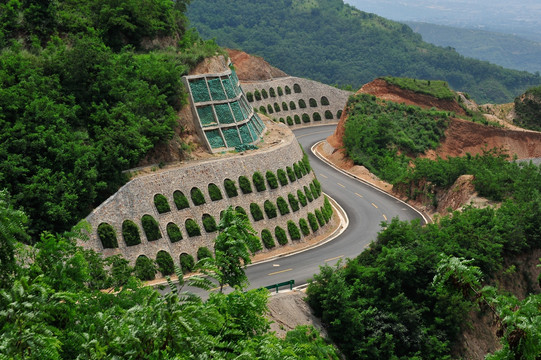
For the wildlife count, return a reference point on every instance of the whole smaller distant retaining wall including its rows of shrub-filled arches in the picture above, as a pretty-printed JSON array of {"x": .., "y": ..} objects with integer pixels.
[{"x": 328, "y": 100}]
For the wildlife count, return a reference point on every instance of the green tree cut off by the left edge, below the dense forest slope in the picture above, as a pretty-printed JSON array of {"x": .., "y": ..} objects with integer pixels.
[{"x": 11, "y": 229}]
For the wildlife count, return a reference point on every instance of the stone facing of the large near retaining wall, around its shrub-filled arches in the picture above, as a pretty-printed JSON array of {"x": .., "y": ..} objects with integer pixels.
[{"x": 136, "y": 199}]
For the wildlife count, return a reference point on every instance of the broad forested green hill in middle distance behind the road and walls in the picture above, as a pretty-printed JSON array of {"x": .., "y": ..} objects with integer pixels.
[{"x": 328, "y": 41}]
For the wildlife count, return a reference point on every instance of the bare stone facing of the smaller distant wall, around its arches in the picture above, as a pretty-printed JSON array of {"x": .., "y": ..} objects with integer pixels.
[{"x": 309, "y": 89}]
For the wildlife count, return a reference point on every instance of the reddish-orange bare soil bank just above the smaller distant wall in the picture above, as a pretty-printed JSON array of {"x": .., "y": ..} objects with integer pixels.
[{"x": 253, "y": 68}]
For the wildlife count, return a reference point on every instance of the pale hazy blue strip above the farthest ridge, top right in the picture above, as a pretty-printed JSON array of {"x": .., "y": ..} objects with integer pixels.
[{"x": 510, "y": 16}]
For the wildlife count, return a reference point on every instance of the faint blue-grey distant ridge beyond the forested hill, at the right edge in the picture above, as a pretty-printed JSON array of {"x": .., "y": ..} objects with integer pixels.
[{"x": 506, "y": 50}]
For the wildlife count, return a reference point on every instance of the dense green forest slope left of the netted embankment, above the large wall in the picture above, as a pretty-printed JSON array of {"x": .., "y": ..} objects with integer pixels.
[{"x": 86, "y": 90}]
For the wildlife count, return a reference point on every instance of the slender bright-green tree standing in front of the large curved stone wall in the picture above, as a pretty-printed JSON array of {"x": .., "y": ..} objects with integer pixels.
[{"x": 231, "y": 254}]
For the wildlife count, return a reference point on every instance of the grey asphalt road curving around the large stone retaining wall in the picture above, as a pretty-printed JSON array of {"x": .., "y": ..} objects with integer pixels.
[{"x": 366, "y": 208}]
